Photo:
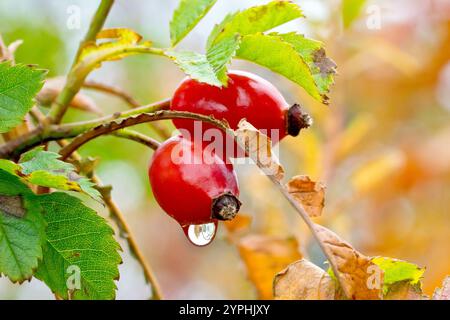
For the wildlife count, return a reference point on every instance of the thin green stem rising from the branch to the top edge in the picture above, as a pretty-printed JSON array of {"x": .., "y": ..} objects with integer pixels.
[{"x": 74, "y": 82}]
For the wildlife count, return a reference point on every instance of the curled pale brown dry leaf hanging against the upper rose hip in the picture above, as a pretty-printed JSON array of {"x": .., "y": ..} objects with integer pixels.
[{"x": 259, "y": 148}]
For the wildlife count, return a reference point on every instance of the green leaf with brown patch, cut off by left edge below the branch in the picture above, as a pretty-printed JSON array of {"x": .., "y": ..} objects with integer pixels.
[{"x": 22, "y": 229}]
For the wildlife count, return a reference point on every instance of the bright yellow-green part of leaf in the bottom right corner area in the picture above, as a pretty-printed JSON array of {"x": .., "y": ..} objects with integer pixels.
[{"x": 397, "y": 271}]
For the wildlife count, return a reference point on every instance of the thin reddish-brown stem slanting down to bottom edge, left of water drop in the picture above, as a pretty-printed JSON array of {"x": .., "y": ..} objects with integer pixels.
[{"x": 117, "y": 215}]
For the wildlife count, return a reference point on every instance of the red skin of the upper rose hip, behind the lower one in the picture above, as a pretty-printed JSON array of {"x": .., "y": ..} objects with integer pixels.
[{"x": 246, "y": 96}]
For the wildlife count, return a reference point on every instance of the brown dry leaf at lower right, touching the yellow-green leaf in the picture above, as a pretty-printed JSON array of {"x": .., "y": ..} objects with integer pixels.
[{"x": 359, "y": 277}]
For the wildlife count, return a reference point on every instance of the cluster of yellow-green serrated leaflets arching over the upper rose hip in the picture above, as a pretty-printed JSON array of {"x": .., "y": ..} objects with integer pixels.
[{"x": 241, "y": 35}]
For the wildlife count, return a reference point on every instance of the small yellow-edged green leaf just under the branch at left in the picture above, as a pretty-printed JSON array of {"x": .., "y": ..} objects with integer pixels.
[{"x": 43, "y": 168}]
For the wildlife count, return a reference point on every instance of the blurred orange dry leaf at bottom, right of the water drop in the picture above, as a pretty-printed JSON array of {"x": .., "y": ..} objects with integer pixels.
[{"x": 265, "y": 256}]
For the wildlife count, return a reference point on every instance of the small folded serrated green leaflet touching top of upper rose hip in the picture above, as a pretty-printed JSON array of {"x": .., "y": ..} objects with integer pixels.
[{"x": 221, "y": 54}]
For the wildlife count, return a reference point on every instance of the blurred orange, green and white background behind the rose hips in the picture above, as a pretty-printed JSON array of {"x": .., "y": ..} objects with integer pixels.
[{"x": 382, "y": 147}]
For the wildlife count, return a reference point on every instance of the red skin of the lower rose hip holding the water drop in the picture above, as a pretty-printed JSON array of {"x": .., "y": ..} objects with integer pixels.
[{"x": 186, "y": 191}]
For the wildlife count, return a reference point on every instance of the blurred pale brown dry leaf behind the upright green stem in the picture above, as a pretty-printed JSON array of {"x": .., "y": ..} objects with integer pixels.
[{"x": 52, "y": 89}]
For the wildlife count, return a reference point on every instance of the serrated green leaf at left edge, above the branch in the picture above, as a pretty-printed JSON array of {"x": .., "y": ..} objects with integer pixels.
[{"x": 19, "y": 84}]
